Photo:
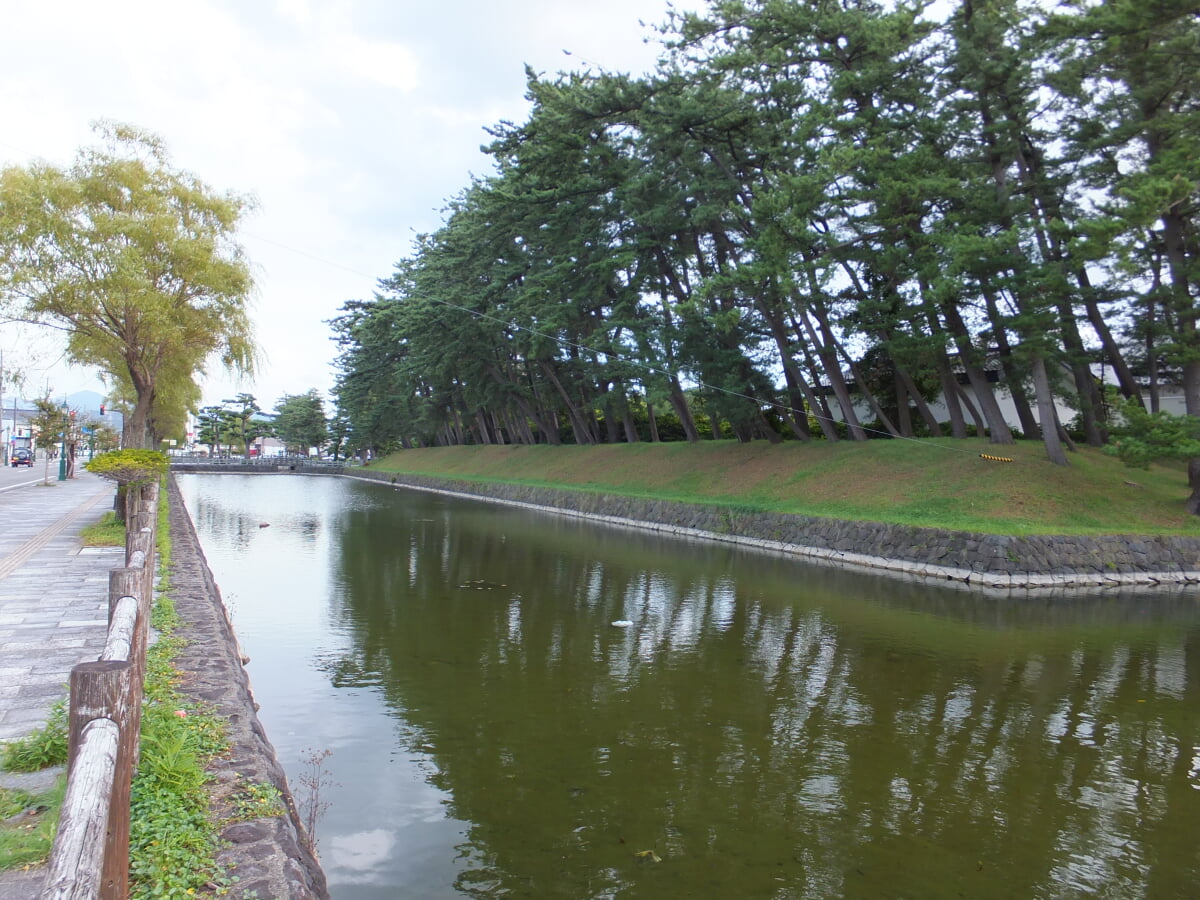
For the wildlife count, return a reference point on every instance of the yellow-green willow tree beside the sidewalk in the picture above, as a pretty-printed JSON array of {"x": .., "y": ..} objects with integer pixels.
[{"x": 136, "y": 261}]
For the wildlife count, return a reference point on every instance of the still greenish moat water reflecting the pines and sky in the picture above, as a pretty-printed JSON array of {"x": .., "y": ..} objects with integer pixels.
[{"x": 765, "y": 729}]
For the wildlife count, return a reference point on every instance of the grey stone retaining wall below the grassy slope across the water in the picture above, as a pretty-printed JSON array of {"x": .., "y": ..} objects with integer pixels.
[{"x": 992, "y": 561}]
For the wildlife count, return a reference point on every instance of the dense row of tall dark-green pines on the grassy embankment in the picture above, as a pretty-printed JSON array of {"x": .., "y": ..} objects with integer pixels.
[{"x": 833, "y": 219}]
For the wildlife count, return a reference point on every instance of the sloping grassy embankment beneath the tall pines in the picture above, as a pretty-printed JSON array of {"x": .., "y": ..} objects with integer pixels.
[{"x": 939, "y": 484}]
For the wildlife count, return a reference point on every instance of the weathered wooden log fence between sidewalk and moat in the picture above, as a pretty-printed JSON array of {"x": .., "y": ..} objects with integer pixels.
[{"x": 91, "y": 857}]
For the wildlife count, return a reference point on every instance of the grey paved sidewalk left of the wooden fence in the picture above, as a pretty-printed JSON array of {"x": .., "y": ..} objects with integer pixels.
[{"x": 53, "y": 613}]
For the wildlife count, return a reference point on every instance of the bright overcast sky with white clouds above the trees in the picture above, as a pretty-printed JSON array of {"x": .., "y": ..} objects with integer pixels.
[{"x": 351, "y": 122}]
